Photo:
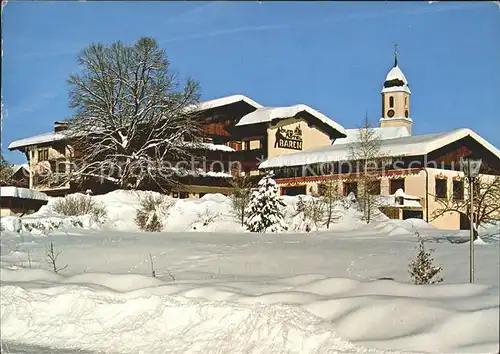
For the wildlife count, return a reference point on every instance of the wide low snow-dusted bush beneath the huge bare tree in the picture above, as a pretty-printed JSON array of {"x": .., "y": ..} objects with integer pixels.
[{"x": 78, "y": 205}]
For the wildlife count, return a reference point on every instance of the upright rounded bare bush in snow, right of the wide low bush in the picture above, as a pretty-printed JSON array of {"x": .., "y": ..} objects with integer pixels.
[{"x": 152, "y": 209}]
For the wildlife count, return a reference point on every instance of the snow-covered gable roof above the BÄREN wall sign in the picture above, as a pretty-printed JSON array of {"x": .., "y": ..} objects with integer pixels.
[{"x": 268, "y": 114}]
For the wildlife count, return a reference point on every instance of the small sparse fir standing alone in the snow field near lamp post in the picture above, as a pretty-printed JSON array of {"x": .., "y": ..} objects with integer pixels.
[{"x": 422, "y": 269}]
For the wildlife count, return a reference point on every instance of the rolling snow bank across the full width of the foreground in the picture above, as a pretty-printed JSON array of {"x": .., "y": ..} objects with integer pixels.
[{"x": 301, "y": 314}]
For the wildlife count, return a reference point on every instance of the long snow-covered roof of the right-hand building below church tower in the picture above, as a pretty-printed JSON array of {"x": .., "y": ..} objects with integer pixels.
[{"x": 403, "y": 146}]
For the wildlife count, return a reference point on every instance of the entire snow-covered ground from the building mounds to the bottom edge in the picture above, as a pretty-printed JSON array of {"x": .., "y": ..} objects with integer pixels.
[{"x": 221, "y": 290}]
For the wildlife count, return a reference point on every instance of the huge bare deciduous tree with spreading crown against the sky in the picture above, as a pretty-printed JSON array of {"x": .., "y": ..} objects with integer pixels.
[{"x": 132, "y": 115}]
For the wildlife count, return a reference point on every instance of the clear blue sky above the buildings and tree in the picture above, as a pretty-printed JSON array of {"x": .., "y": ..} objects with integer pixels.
[{"x": 331, "y": 56}]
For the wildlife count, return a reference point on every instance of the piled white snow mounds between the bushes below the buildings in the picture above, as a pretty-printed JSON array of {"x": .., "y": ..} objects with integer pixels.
[{"x": 211, "y": 213}]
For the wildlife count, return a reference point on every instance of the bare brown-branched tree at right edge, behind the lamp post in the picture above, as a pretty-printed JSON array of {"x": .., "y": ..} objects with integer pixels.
[{"x": 486, "y": 202}]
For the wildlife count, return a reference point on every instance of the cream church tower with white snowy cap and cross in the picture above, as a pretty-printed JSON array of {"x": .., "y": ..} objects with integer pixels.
[{"x": 396, "y": 98}]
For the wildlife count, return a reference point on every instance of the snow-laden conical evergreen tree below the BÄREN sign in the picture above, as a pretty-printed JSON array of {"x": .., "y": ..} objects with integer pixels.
[{"x": 264, "y": 210}]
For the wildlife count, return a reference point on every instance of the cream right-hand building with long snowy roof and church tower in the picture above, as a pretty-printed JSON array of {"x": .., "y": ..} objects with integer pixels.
[{"x": 420, "y": 174}]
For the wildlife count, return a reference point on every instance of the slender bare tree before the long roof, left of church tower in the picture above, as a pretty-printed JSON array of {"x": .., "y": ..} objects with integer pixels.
[{"x": 366, "y": 153}]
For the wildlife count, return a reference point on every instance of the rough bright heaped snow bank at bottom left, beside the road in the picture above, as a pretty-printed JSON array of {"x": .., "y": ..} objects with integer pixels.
[{"x": 159, "y": 324}]
